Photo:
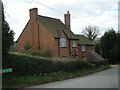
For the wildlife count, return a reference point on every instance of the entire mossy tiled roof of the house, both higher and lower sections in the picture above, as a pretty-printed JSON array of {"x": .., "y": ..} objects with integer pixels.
[{"x": 55, "y": 26}]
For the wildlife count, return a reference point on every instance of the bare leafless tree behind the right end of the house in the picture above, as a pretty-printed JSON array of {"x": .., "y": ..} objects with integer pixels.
[{"x": 91, "y": 32}]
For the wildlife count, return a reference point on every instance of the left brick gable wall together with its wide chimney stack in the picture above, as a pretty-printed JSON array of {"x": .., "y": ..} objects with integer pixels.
[{"x": 30, "y": 32}]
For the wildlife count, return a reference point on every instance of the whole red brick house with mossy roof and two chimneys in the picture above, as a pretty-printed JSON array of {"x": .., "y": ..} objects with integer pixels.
[{"x": 48, "y": 33}]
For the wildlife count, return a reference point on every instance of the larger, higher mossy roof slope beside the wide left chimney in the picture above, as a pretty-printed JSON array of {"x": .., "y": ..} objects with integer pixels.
[{"x": 55, "y": 26}]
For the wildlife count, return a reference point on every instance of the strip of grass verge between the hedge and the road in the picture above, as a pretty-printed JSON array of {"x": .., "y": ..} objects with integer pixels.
[{"x": 20, "y": 82}]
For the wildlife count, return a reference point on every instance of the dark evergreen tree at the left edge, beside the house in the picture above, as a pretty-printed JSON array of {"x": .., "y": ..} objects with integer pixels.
[{"x": 7, "y": 35}]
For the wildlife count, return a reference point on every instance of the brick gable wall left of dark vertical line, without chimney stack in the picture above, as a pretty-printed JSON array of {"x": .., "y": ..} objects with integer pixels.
[{"x": 29, "y": 34}]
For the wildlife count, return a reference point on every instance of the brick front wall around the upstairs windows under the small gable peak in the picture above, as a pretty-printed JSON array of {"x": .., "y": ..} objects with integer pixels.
[{"x": 67, "y": 51}]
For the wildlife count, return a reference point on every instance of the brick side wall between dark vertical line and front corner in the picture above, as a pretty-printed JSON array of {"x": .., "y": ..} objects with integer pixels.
[{"x": 46, "y": 39}]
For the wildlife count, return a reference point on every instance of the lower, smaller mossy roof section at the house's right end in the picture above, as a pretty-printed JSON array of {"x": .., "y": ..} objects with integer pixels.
[{"x": 83, "y": 40}]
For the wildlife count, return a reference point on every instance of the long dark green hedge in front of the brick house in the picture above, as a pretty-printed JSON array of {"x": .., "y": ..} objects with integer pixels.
[{"x": 23, "y": 65}]
